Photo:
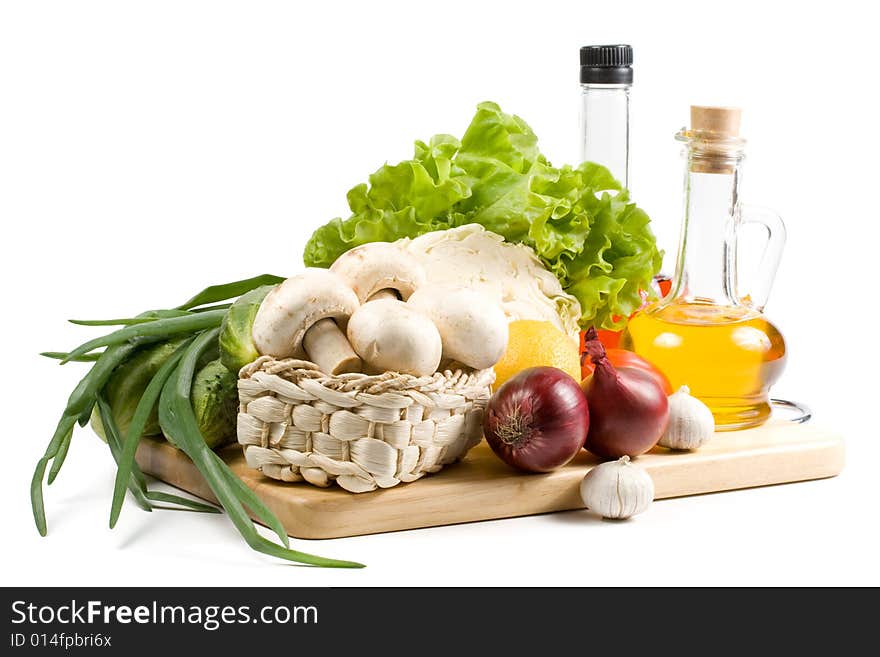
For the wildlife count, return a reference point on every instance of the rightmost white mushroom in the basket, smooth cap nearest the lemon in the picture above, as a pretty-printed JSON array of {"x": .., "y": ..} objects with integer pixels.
[{"x": 472, "y": 326}]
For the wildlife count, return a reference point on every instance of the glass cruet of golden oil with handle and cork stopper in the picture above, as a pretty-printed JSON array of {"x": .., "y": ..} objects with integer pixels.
[{"x": 706, "y": 333}]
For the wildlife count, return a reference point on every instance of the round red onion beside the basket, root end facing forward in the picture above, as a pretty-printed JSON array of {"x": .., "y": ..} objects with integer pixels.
[{"x": 537, "y": 421}]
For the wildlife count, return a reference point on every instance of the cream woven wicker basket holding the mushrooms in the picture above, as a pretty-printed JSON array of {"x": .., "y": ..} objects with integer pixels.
[{"x": 297, "y": 423}]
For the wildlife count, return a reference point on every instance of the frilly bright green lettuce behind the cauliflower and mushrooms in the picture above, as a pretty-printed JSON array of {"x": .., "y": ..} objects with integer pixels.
[{"x": 579, "y": 220}]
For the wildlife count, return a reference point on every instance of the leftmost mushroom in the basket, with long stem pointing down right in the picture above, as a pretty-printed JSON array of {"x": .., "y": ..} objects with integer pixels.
[{"x": 298, "y": 319}]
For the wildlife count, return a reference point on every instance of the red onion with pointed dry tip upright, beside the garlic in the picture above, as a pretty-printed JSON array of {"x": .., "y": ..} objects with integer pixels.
[{"x": 628, "y": 408}]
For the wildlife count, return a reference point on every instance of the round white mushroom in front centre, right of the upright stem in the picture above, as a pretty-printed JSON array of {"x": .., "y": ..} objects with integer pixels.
[{"x": 390, "y": 335}]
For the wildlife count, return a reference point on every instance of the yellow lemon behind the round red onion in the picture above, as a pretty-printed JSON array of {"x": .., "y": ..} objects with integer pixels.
[{"x": 532, "y": 343}]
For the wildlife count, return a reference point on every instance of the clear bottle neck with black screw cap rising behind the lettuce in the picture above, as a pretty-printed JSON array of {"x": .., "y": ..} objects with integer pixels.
[{"x": 606, "y": 79}]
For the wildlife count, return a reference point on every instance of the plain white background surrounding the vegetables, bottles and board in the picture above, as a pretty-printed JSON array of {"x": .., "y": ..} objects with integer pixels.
[{"x": 149, "y": 149}]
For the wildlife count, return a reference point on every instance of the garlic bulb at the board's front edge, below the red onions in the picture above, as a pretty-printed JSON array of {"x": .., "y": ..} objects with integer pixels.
[{"x": 617, "y": 489}]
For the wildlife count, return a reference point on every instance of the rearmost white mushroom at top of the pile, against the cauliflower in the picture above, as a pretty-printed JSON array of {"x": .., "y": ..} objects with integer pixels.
[{"x": 379, "y": 270}]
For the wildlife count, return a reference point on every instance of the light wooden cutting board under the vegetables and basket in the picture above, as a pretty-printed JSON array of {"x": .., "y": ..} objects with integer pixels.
[{"x": 482, "y": 488}]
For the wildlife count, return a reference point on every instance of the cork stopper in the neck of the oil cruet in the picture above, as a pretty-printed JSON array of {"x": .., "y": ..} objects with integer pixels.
[{"x": 714, "y": 139}]
